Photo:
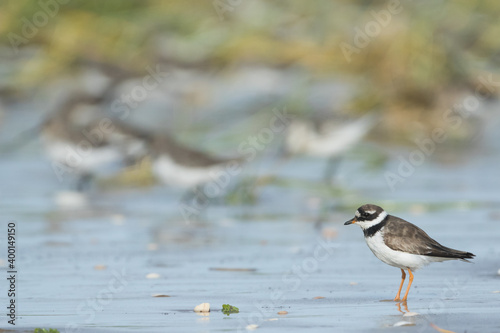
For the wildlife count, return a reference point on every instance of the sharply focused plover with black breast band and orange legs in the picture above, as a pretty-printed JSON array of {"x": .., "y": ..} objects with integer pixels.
[{"x": 401, "y": 244}]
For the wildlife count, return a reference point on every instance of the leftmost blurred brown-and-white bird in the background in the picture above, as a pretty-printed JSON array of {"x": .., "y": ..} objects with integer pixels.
[{"x": 80, "y": 140}]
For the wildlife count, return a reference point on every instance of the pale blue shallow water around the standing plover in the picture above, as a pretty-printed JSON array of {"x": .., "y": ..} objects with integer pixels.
[{"x": 134, "y": 233}]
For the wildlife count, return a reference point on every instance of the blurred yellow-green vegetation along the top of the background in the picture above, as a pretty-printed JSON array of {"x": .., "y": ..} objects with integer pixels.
[{"x": 426, "y": 57}]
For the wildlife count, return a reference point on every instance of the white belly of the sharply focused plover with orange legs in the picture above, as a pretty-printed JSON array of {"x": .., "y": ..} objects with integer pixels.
[{"x": 398, "y": 259}]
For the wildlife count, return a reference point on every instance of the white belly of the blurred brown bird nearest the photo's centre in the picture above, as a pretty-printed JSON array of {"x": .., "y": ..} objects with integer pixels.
[{"x": 171, "y": 173}]
